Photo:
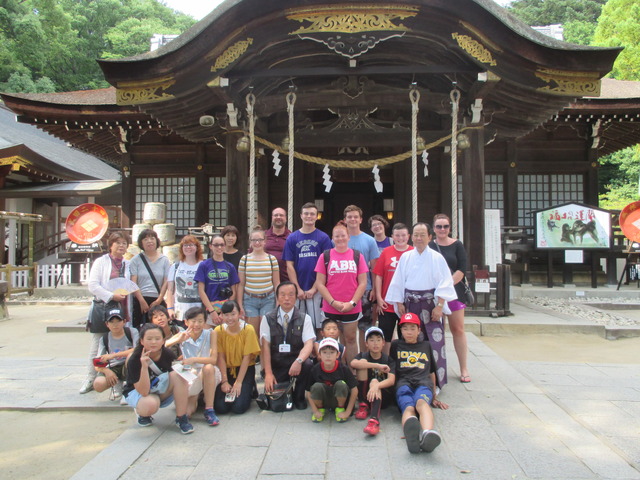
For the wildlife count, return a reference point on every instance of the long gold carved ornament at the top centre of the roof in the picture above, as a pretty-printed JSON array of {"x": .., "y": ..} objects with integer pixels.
[{"x": 353, "y": 19}]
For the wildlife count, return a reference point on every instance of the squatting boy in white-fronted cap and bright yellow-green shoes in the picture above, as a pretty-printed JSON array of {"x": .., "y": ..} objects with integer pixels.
[{"x": 331, "y": 384}]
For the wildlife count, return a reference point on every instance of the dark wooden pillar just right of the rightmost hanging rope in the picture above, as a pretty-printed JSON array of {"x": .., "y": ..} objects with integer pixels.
[{"x": 473, "y": 197}]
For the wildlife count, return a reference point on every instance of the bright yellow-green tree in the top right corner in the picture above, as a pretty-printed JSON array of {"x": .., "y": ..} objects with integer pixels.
[{"x": 619, "y": 26}]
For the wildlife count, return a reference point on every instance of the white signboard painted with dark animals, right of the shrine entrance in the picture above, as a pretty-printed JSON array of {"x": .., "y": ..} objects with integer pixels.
[{"x": 573, "y": 225}]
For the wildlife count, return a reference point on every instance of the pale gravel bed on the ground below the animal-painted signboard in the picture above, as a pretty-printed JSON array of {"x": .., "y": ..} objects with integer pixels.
[{"x": 581, "y": 308}]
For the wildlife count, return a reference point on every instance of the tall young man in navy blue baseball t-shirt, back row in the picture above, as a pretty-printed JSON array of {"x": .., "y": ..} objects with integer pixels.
[{"x": 301, "y": 252}]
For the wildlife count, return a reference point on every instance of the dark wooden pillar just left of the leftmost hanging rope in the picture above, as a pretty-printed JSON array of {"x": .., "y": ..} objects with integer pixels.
[{"x": 237, "y": 188}]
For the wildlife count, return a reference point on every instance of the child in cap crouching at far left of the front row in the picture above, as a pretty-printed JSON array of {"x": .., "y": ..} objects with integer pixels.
[{"x": 115, "y": 346}]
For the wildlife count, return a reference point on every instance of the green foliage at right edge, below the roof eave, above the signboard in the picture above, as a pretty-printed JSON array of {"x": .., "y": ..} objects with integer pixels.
[{"x": 620, "y": 178}]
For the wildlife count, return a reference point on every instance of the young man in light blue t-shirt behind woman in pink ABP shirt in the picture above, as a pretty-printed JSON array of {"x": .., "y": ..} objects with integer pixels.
[{"x": 366, "y": 244}]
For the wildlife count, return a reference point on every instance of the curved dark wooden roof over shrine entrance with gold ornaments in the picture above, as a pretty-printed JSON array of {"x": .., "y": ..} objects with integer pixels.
[{"x": 357, "y": 55}]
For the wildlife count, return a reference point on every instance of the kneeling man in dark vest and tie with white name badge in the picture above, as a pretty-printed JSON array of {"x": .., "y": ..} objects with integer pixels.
[{"x": 287, "y": 337}]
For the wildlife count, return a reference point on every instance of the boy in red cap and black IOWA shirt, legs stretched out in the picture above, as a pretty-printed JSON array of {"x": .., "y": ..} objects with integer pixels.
[{"x": 415, "y": 380}]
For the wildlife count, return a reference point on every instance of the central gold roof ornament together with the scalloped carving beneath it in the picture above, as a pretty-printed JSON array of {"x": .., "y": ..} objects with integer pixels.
[{"x": 353, "y": 30}]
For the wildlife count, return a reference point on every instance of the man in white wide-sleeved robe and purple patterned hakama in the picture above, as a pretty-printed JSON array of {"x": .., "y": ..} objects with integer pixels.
[{"x": 422, "y": 284}]
